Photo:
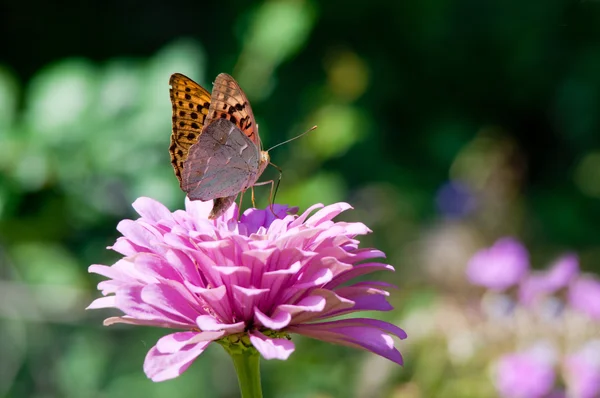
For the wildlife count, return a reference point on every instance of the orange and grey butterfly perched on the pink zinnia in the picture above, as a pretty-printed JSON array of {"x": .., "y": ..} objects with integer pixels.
[{"x": 215, "y": 147}]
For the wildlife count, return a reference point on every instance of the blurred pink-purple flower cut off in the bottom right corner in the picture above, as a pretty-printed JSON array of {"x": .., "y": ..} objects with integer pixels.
[{"x": 582, "y": 372}]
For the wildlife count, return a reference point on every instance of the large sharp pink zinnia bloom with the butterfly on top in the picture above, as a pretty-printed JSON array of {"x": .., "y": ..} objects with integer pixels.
[{"x": 251, "y": 281}]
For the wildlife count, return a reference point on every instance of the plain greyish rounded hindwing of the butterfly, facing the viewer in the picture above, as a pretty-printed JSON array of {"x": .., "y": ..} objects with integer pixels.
[{"x": 221, "y": 164}]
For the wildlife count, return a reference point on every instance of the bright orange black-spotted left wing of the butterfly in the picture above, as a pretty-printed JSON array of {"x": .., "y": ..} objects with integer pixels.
[{"x": 191, "y": 103}]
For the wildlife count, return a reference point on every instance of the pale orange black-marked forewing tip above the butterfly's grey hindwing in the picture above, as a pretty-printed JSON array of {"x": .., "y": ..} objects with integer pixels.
[{"x": 228, "y": 101}]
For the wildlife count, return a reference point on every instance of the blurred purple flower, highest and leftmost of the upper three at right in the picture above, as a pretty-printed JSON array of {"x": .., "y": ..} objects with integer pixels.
[{"x": 499, "y": 267}]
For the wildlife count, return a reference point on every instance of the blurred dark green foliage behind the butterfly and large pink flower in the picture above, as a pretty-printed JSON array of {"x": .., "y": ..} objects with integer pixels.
[{"x": 446, "y": 124}]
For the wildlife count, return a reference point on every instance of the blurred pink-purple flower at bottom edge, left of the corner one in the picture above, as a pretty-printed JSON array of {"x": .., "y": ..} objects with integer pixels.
[{"x": 524, "y": 375}]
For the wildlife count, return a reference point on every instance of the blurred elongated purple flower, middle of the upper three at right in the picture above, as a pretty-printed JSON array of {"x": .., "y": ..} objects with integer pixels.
[{"x": 562, "y": 272}]
